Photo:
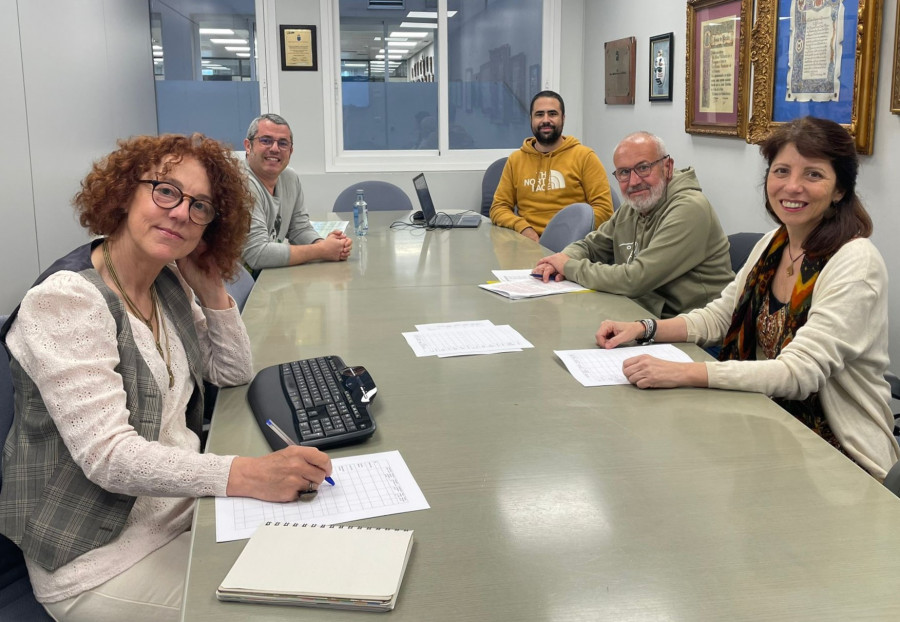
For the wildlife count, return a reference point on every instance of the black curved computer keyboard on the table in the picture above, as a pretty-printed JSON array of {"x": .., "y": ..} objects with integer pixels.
[{"x": 319, "y": 402}]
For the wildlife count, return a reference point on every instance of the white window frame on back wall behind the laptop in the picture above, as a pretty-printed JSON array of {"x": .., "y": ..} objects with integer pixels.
[{"x": 440, "y": 159}]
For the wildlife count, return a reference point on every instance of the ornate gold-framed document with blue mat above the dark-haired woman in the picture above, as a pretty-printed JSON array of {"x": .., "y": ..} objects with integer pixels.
[{"x": 819, "y": 58}]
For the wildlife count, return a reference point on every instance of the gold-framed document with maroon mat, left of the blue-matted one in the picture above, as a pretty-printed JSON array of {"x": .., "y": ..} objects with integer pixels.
[{"x": 718, "y": 69}]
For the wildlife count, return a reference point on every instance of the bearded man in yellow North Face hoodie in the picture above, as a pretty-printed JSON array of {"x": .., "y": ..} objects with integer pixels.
[{"x": 549, "y": 172}]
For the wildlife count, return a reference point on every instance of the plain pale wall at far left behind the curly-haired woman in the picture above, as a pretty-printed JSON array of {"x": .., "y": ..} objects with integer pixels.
[{"x": 66, "y": 100}]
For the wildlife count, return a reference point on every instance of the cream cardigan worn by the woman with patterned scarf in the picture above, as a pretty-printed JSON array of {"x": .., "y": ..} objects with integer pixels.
[{"x": 841, "y": 352}]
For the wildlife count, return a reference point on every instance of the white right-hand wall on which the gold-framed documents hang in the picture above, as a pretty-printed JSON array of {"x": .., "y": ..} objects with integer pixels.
[{"x": 729, "y": 169}]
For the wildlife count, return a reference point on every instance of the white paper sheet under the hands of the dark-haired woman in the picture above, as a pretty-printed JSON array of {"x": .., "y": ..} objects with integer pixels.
[{"x": 598, "y": 367}]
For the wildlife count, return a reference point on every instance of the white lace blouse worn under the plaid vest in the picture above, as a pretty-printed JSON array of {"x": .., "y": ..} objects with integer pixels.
[{"x": 65, "y": 339}]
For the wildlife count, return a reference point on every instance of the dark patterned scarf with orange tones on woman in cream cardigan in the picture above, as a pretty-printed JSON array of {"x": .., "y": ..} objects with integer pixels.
[{"x": 741, "y": 340}]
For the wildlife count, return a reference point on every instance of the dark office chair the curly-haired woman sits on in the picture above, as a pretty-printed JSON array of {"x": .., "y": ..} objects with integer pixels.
[{"x": 17, "y": 600}]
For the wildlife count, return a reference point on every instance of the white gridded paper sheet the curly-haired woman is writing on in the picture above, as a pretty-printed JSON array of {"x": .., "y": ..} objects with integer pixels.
[{"x": 365, "y": 486}]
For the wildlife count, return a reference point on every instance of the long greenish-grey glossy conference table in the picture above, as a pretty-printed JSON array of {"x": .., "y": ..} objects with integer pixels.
[{"x": 550, "y": 500}]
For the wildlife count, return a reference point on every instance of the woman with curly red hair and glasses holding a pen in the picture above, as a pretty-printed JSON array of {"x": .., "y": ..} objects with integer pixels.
[{"x": 109, "y": 350}]
